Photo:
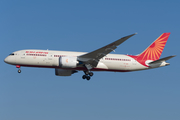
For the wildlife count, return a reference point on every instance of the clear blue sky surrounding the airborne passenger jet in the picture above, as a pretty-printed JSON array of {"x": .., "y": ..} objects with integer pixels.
[{"x": 37, "y": 94}]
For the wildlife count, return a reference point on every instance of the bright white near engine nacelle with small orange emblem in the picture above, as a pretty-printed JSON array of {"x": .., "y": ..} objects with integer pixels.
[{"x": 68, "y": 62}]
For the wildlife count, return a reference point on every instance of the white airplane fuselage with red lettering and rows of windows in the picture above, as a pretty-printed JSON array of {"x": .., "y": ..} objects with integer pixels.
[{"x": 50, "y": 59}]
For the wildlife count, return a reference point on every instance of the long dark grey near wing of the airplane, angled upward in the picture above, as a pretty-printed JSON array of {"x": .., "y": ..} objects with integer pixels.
[{"x": 92, "y": 58}]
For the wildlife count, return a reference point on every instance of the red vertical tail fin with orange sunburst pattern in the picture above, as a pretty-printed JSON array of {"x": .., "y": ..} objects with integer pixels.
[{"x": 153, "y": 52}]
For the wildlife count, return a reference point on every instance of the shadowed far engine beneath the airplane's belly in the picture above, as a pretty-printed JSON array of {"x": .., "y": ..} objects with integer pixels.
[{"x": 61, "y": 72}]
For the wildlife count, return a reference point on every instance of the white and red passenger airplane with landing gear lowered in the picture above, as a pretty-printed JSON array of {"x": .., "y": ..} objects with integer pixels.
[{"x": 67, "y": 63}]
